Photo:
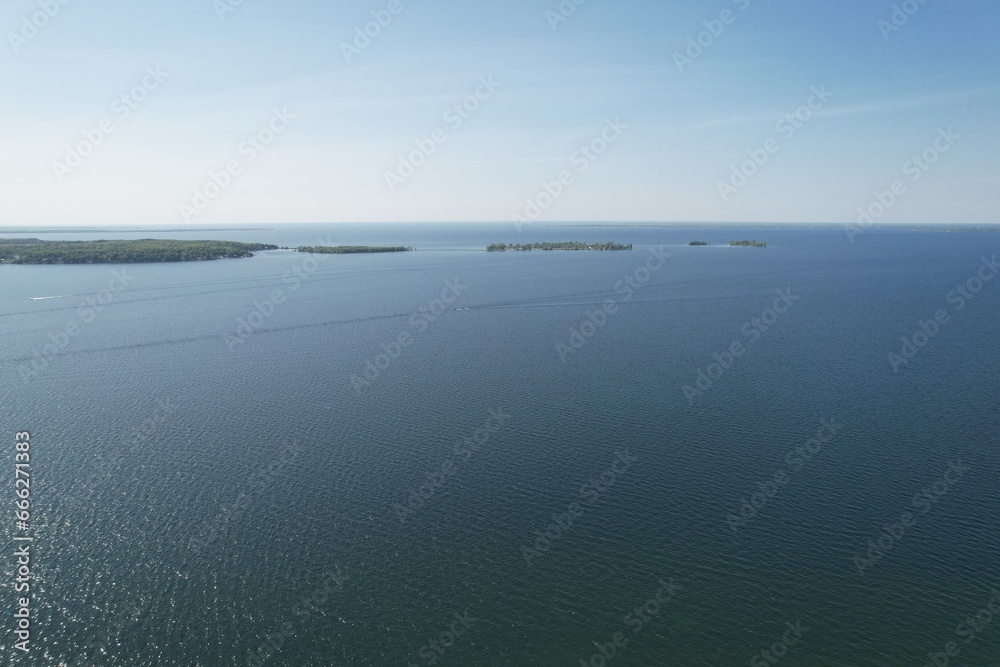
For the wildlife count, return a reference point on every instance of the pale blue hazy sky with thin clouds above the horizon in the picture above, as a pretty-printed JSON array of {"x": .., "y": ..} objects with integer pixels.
[{"x": 258, "y": 111}]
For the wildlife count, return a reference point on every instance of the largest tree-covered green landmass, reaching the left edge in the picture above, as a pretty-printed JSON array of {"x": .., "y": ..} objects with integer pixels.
[{"x": 36, "y": 251}]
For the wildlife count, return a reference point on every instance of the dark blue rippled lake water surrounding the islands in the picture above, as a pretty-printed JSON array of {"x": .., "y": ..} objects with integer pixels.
[{"x": 207, "y": 477}]
